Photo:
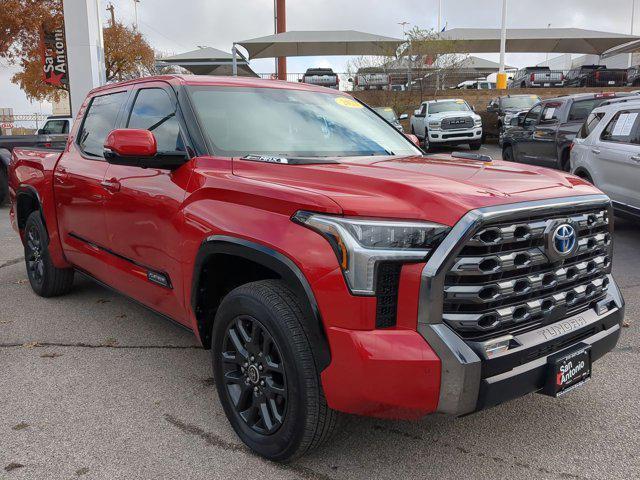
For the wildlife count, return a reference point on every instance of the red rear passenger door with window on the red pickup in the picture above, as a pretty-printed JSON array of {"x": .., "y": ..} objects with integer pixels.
[{"x": 78, "y": 184}]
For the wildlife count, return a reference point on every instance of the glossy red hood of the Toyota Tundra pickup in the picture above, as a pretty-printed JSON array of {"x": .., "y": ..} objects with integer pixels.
[{"x": 437, "y": 188}]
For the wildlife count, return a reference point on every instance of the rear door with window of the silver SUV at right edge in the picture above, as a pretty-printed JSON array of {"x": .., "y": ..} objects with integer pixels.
[{"x": 618, "y": 154}]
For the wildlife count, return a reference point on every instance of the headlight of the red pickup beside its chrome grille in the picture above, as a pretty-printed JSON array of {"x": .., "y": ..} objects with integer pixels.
[{"x": 361, "y": 244}]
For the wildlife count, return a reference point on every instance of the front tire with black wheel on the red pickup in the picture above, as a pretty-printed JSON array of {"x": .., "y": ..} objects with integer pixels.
[{"x": 261, "y": 355}]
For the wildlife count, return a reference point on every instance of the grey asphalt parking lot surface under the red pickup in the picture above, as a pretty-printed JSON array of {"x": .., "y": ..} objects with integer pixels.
[{"x": 94, "y": 386}]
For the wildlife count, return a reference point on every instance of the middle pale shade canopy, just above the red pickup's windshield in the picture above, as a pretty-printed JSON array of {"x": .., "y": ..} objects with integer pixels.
[{"x": 313, "y": 43}]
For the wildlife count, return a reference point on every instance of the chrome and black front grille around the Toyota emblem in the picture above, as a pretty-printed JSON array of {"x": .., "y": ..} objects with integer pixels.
[{"x": 504, "y": 281}]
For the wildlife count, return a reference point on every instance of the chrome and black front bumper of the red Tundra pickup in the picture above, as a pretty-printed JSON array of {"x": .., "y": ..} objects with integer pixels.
[{"x": 472, "y": 381}]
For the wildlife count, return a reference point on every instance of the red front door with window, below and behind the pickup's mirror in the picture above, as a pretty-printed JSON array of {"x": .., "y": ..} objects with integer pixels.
[{"x": 142, "y": 209}]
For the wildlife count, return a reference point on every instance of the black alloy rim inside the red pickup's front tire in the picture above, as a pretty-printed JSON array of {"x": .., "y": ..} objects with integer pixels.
[{"x": 254, "y": 375}]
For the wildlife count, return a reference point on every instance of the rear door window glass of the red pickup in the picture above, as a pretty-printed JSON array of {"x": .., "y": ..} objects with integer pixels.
[{"x": 99, "y": 120}]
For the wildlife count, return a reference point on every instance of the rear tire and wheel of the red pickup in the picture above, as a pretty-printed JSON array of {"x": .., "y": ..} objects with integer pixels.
[{"x": 46, "y": 280}]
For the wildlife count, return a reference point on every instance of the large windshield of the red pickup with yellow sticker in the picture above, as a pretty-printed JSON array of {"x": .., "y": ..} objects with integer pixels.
[{"x": 292, "y": 123}]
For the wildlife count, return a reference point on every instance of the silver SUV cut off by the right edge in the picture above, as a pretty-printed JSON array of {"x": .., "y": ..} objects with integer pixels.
[{"x": 606, "y": 152}]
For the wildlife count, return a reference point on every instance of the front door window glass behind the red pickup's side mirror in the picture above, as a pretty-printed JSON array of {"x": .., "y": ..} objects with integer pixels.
[{"x": 153, "y": 110}]
